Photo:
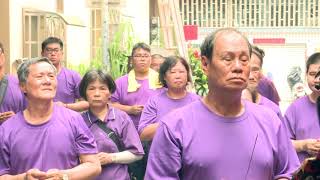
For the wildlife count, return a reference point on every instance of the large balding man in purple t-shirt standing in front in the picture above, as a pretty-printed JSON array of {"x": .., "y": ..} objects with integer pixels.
[{"x": 221, "y": 136}]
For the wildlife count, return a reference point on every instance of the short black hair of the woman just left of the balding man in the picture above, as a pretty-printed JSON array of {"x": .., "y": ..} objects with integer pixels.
[{"x": 169, "y": 63}]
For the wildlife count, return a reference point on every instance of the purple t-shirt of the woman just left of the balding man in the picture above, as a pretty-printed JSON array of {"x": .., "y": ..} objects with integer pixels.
[{"x": 160, "y": 105}]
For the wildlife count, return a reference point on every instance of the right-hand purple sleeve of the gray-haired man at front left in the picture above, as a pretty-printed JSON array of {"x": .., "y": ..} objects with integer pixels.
[{"x": 85, "y": 142}]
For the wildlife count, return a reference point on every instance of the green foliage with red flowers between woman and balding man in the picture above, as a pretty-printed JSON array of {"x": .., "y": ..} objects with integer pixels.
[{"x": 200, "y": 79}]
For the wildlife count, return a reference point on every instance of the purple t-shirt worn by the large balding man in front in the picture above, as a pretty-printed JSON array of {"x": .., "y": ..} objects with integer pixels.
[{"x": 195, "y": 143}]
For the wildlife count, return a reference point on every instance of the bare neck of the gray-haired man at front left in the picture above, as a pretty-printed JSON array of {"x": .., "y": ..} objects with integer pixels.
[{"x": 38, "y": 112}]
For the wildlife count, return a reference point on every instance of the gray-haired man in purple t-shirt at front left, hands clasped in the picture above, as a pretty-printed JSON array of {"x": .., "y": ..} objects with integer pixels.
[{"x": 45, "y": 141}]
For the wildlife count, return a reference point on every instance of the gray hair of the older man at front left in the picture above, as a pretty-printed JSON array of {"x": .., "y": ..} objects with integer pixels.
[{"x": 23, "y": 69}]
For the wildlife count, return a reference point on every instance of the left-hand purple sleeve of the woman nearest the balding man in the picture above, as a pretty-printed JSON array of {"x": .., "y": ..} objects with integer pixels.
[{"x": 149, "y": 115}]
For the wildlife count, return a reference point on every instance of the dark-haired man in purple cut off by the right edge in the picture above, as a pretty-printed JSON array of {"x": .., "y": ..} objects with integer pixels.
[{"x": 301, "y": 116}]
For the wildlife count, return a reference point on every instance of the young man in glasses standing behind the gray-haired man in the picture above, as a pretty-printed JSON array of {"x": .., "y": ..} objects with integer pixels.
[{"x": 68, "y": 80}]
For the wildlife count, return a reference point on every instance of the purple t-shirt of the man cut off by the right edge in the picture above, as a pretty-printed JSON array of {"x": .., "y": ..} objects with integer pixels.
[{"x": 302, "y": 122}]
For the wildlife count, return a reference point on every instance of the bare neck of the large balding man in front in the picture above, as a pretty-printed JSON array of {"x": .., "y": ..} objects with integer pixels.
[{"x": 224, "y": 104}]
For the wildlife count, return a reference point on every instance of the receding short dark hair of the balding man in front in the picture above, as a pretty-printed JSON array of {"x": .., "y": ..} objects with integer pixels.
[{"x": 207, "y": 47}]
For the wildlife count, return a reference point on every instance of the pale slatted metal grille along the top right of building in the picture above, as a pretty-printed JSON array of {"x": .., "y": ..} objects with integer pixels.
[{"x": 250, "y": 13}]
